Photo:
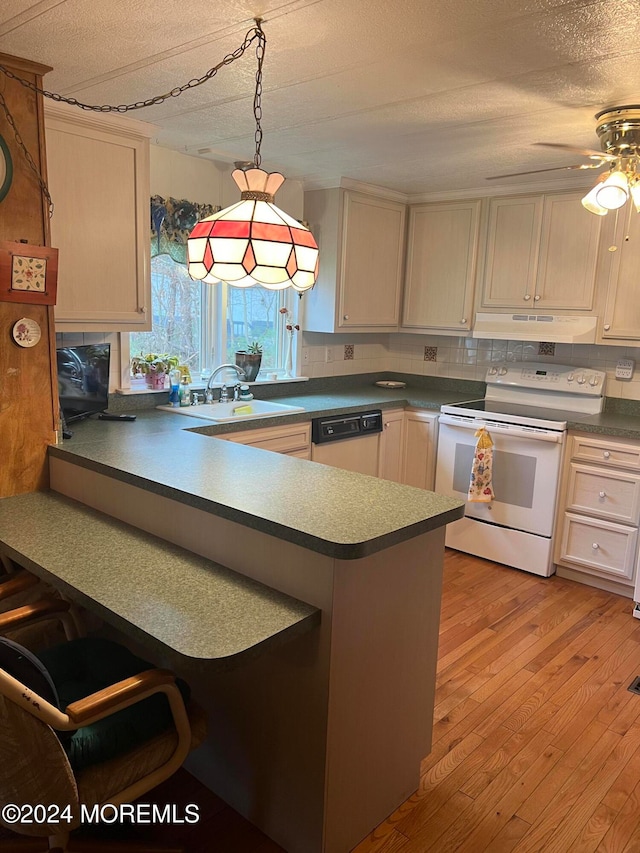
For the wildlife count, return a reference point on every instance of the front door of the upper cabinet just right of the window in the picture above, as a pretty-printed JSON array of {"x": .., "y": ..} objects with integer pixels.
[{"x": 371, "y": 261}]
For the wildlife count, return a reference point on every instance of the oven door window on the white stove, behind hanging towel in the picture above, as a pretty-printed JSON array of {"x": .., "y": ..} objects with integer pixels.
[{"x": 513, "y": 475}]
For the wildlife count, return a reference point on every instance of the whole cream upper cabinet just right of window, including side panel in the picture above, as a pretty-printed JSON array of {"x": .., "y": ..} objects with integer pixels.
[{"x": 361, "y": 241}]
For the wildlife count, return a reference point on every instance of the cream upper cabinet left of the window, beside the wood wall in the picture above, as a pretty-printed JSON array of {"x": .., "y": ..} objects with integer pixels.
[{"x": 98, "y": 175}]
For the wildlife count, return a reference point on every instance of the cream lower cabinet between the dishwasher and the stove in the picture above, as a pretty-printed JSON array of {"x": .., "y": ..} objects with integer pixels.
[{"x": 408, "y": 447}]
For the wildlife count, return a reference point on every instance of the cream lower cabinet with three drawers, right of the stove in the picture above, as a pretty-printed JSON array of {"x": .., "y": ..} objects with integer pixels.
[{"x": 598, "y": 530}]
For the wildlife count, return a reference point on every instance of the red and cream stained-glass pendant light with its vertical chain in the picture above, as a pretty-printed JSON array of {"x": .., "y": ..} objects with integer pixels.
[{"x": 254, "y": 242}]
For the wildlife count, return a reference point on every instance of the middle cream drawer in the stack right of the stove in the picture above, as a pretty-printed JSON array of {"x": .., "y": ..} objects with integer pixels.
[{"x": 605, "y": 493}]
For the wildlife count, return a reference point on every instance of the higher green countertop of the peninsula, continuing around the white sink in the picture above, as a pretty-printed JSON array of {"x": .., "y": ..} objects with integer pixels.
[{"x": 325, "y": 509}]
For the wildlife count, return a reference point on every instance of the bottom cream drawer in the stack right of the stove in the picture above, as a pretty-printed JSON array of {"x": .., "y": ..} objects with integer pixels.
[{"x": 601, "y": 546}]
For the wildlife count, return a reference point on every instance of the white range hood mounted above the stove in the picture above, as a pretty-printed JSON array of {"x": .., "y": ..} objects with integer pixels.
[{"x": 560, "y": 328}]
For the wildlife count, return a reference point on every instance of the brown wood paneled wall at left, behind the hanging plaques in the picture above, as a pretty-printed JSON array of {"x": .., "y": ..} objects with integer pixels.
[{"x": 28, "y": 384}]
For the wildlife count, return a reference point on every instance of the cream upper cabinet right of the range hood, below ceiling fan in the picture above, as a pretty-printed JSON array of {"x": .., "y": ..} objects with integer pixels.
[{"x": 622, "y": 311}]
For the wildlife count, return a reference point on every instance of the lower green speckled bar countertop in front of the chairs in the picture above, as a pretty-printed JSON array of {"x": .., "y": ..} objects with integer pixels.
[{"x": 192, "y": 609}]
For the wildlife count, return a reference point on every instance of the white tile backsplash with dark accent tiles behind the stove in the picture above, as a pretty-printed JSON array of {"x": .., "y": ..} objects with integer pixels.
[{"x": 455, "y": 357}]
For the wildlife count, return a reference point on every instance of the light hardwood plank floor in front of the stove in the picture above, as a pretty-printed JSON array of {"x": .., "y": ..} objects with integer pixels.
[{"x": 536, "y": 739}]
